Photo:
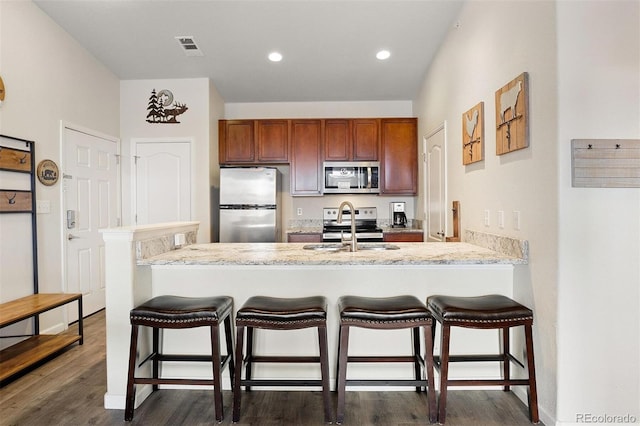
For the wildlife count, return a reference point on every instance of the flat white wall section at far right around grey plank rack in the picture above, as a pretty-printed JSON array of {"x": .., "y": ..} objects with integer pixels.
[{"x": 599, "y": 229}]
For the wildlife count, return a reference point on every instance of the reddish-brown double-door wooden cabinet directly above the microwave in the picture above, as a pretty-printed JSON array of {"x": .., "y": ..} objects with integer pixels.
[{"x": 351, "y": 139}]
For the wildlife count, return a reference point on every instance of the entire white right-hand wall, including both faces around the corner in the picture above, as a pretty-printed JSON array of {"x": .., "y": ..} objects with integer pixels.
[{"x": 583, "y": 60}]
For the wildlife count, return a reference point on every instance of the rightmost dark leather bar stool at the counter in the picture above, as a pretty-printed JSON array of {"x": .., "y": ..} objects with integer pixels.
[{"x": 483, "y": 312}]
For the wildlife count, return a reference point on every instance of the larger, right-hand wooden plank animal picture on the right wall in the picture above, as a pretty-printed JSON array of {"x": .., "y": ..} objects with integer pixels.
[{"x": 512, "y": 115}]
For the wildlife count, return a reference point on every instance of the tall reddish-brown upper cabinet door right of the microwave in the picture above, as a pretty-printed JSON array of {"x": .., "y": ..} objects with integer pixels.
[{"x": 399, "y": 146}]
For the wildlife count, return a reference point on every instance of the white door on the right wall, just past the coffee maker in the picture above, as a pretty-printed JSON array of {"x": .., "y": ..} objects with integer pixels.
[{"x": 435, "y": 176}]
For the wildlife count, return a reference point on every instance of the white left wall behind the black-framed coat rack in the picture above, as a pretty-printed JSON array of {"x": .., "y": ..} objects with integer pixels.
[{"x": 48, "y": 78}]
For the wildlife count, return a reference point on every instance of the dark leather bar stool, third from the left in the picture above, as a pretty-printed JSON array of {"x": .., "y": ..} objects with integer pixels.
[{"x": 387, "y": 313}]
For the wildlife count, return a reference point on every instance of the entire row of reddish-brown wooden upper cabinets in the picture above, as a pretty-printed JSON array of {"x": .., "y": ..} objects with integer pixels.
[{"x": 306, "y": 143}]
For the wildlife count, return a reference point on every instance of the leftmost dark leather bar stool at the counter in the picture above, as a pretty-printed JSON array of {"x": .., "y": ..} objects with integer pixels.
[{"x": 181, "y": 312}]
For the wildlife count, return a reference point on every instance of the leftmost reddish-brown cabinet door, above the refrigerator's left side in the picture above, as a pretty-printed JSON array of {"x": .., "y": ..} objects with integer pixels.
[{"x": 236, "y": 141}]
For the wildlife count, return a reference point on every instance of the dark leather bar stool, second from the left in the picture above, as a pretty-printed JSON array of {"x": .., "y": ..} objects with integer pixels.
[{"x": 273, "y": 313}]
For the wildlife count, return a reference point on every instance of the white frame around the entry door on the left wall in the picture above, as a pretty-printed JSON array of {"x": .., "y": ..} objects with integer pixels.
[{"x": 63, "y": 231}]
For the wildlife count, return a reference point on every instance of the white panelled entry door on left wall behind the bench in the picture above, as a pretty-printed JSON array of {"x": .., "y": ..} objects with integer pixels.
[{"x": 90, "y": 202}]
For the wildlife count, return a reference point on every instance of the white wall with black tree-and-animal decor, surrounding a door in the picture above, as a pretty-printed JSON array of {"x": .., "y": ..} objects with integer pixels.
[{"x": 194, "y": 124}]
